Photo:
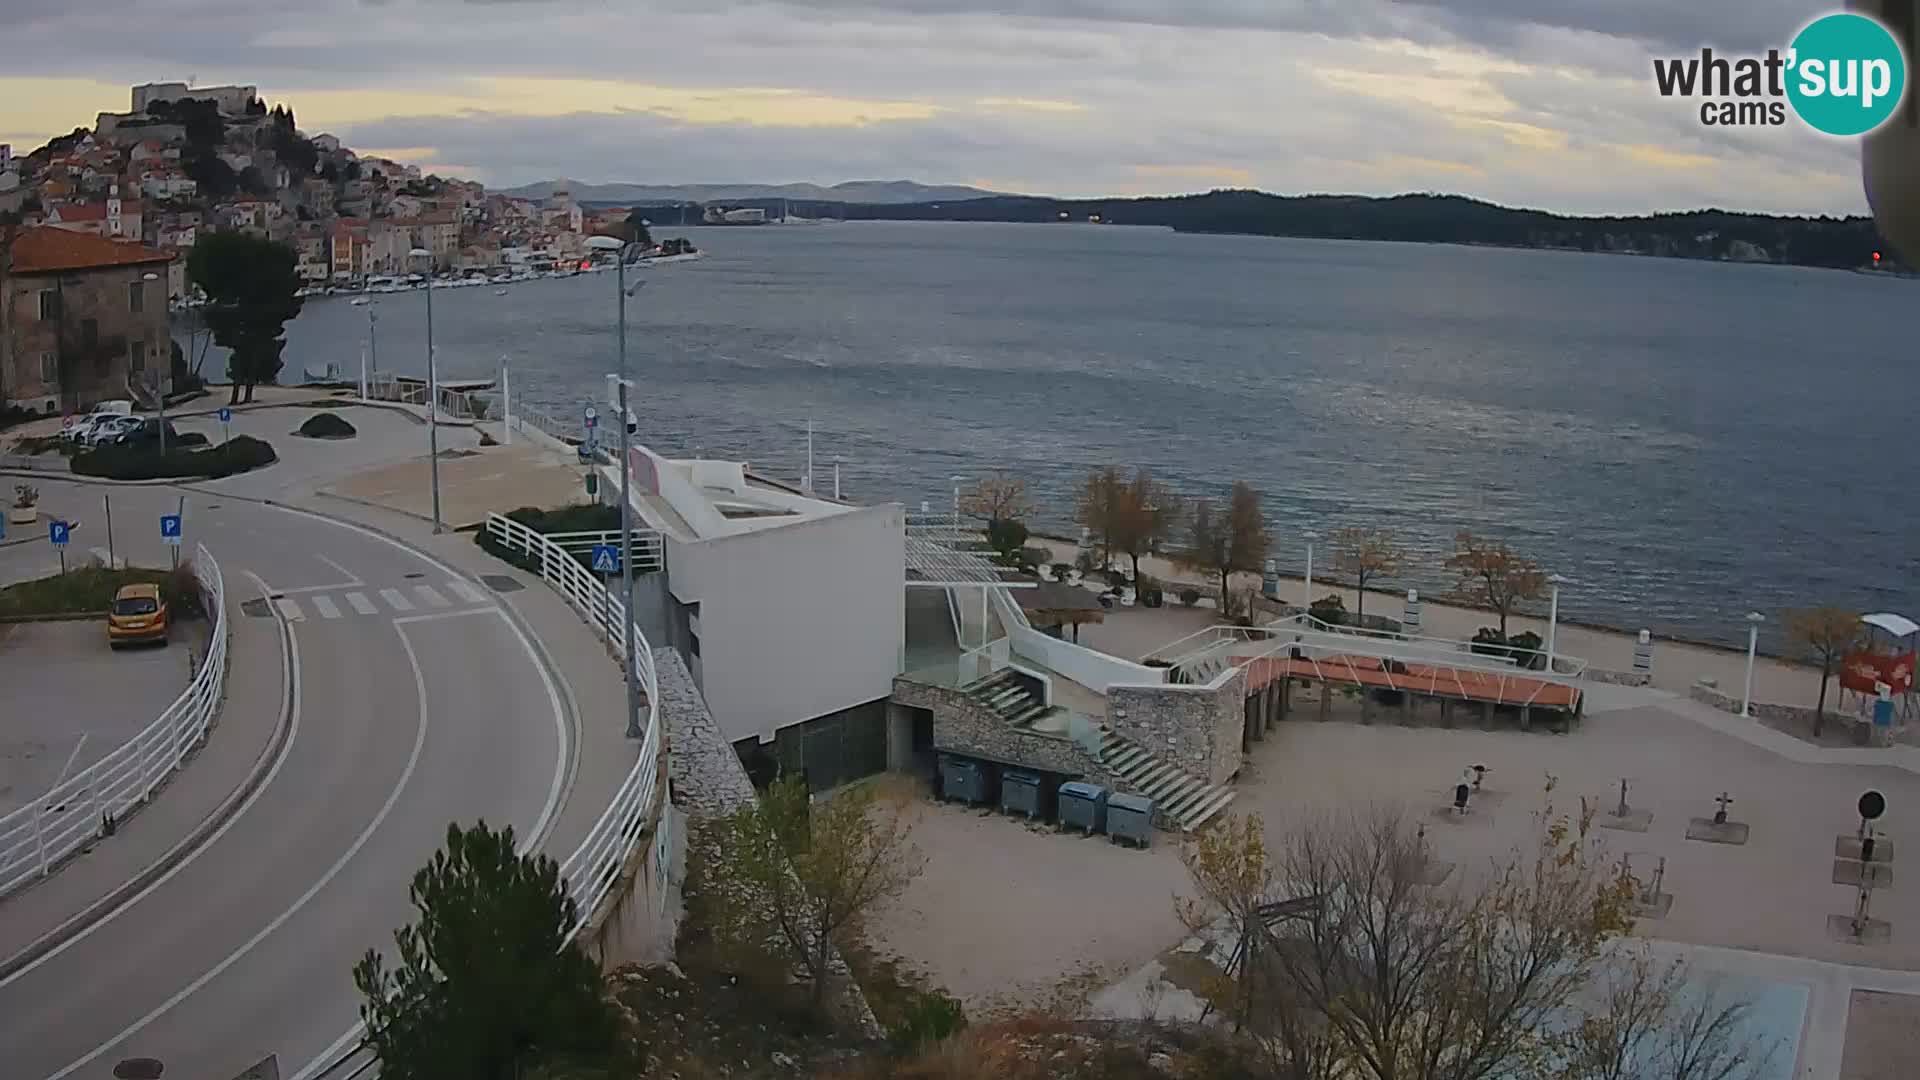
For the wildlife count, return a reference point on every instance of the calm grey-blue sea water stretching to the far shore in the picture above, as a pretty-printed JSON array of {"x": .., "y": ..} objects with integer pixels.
[{"x": 1687, "y": 441}]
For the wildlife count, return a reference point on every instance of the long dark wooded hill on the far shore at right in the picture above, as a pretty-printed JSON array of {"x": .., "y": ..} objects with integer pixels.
[{"x": 1840, "y": 243}]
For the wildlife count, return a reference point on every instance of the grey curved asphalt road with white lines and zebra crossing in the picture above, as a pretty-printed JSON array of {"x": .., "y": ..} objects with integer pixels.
[{"x": 414, "y": 702}]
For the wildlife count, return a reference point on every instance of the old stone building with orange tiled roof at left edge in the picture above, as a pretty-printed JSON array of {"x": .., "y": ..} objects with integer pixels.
[{"x": 80, "y": 314}]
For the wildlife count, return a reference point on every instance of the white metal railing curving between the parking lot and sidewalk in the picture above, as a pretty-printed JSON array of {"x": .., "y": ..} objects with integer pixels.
[{"x": 95, "y": 800}]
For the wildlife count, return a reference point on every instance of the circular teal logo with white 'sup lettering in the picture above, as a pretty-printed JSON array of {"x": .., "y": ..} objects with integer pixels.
[{"x": 1846, "y": 74}]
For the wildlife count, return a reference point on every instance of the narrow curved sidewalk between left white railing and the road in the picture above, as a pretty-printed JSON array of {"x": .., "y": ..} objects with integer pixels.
[{"x": 214, "y": 781}]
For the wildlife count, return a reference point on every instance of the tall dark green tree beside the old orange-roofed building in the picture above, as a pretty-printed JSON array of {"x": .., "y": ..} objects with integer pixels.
[{"x": 251, "y": 285}]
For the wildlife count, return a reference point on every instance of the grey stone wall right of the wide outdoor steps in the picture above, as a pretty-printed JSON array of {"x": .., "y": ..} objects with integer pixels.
[{"x": 1191, "y": 727}]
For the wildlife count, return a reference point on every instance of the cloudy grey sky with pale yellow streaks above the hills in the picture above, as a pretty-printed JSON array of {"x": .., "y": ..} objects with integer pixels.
[{"x": 1527, "y": 103}]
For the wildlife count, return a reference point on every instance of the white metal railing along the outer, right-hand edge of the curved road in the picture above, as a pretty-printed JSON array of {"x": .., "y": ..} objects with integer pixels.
[{"x": 596, "y": 864}]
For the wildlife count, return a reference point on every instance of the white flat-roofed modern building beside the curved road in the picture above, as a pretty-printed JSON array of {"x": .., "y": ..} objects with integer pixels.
[{"x": 788, "y": 608}]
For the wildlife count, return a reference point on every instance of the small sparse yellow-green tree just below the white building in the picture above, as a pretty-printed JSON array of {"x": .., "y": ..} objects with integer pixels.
[{"x": 805, "y": 875}]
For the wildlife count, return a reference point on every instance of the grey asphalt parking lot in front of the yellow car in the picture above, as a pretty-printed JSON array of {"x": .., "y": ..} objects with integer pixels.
[{"x": 70, "y": 700}]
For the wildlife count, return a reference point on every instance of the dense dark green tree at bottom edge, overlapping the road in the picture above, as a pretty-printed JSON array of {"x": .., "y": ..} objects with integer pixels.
[{"x": 487, "y": 985}]
